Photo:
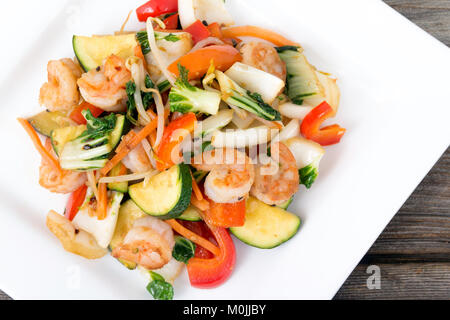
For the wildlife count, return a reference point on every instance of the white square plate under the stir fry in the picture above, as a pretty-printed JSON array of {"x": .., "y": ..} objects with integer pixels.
[{"x": 395, "y": 106}]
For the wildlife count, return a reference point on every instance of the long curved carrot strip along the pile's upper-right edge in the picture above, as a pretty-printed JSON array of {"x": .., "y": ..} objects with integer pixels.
[{"x": 257, "y": 32}]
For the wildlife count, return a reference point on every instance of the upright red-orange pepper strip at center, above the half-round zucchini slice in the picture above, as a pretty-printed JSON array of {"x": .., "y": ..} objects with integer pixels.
[{"x": 174, "y": 134}]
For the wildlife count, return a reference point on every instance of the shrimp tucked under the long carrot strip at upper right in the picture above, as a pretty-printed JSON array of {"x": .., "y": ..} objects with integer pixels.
[{"x": 264, "y": 57}]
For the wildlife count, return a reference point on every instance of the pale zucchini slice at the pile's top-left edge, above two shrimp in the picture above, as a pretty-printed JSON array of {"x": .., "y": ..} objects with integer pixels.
[{"x": 92, "y": 51}]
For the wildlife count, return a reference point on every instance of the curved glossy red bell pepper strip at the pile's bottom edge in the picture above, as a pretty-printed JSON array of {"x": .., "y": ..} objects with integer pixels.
[{"x": 210, "y": 273}]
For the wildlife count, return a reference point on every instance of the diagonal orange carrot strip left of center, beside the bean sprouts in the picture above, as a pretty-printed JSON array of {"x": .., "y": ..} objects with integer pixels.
[{"x": 129, "y": 145}]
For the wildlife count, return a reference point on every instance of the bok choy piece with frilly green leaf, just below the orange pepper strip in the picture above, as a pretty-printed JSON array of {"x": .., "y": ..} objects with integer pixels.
[{"x": 184, "y": 97}]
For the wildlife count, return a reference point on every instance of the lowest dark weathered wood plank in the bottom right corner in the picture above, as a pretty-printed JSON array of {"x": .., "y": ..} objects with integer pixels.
[{"x": 400, "y": 281}]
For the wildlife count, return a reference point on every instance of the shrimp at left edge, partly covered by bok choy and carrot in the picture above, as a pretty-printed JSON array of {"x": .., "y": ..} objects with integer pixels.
[{"x": 52, "y": 180}]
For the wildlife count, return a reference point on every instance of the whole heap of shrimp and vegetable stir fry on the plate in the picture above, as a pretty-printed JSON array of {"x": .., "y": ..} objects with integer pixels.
[{"x": 175, "y": 140}]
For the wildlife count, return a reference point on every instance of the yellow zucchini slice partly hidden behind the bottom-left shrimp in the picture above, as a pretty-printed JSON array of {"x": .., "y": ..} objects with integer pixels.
[{"x": 128, "y": 213}]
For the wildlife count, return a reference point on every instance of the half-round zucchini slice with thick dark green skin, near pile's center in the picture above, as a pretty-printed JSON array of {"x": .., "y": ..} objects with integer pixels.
[{"x": 174, "y": 210}]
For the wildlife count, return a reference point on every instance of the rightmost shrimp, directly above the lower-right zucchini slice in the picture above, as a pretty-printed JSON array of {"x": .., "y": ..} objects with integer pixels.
[{"x": 277, "y": 187}]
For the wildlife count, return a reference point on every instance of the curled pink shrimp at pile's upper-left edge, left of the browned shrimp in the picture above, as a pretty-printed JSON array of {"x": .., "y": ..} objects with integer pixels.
[{"x": 61, "y": 90}]
